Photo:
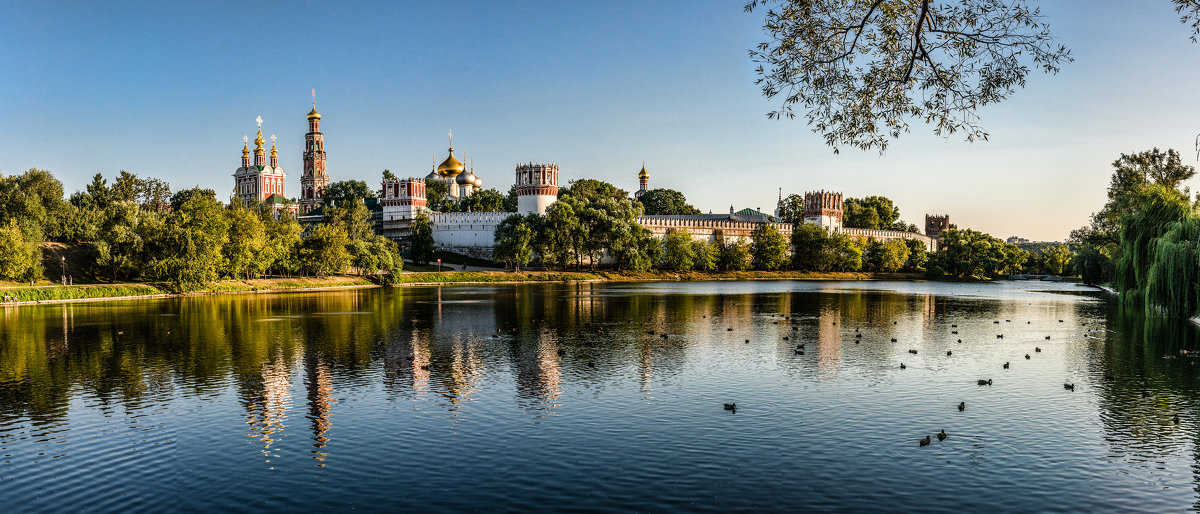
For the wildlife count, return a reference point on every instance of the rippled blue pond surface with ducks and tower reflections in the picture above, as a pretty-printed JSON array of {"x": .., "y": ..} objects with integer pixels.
[{"x": 555, "y": 397}]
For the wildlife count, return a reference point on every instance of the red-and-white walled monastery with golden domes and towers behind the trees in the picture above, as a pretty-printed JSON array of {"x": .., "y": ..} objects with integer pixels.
[{"x": 401, "y": 200}]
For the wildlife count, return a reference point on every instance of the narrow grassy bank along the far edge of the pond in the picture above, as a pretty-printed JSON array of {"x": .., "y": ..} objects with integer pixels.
[{"x": 98, "y": 292}]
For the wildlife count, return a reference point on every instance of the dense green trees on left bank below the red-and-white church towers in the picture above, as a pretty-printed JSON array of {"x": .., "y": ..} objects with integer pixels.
[{"x": 137, "y": 230}]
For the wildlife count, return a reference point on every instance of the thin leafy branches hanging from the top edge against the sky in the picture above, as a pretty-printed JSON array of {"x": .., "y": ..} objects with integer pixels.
[{"x": 862, "y": 70}]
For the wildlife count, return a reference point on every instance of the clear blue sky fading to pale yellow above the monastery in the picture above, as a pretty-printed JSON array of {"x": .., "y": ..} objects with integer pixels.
[{"x": 169, "y": 91}]
